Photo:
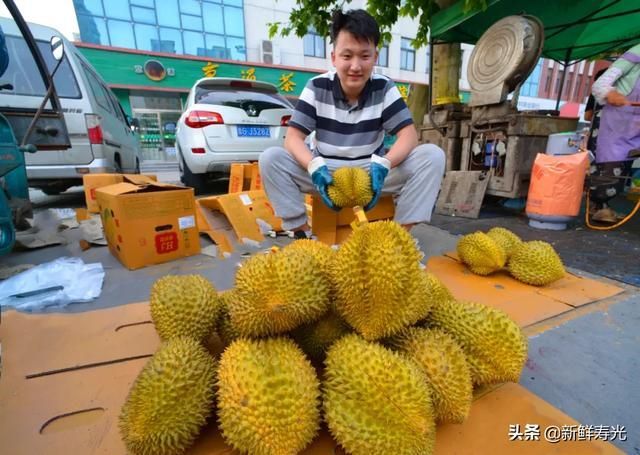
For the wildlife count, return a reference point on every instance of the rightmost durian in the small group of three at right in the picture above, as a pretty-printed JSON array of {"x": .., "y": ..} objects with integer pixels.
[{"x": 536, "y": 263}]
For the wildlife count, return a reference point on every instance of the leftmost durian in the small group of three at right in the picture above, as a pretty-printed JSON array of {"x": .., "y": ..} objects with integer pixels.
[{"x": 481, "y": 253}]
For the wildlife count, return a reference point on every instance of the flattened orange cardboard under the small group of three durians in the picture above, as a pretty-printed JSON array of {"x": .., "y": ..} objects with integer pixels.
[{"x": 525, "y": 304}]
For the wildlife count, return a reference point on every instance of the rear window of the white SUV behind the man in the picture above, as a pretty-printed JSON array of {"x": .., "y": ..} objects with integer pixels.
[{"x": 233, "y": 97}]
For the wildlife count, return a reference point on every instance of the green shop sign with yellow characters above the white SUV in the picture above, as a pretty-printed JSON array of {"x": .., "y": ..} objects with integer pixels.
[{"x": 137, "y": 69}]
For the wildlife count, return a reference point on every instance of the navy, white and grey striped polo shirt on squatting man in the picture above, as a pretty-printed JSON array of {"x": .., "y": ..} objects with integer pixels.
[{"x": 350, "y": 132}]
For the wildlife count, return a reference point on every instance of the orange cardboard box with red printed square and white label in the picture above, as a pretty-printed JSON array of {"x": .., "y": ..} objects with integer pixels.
[{"x": 148, "y": 223}]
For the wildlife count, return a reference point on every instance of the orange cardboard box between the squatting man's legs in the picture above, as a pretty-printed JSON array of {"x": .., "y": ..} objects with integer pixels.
[{"x": 332, "y": 227}]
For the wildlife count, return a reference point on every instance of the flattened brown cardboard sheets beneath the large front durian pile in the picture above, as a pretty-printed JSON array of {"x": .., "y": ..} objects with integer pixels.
[{"x": 76, "y": 408}]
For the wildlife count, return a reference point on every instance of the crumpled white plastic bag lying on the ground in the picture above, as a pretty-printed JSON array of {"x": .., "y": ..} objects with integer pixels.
[{"x": 56, "y": 283}]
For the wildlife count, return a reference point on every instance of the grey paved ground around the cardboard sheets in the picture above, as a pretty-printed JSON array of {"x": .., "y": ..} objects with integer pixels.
[{"x": 587, "y": 366}]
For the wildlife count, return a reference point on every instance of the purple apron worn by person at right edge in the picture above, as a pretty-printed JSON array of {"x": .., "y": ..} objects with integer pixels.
[{"x": 619, "y": 131}]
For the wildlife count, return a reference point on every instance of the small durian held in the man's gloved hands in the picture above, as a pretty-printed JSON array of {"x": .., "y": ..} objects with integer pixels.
[{"x": 351, "y": 186}]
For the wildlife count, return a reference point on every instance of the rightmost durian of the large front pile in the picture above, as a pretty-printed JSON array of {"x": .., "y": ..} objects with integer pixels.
[{"x": 493, "y": 344}]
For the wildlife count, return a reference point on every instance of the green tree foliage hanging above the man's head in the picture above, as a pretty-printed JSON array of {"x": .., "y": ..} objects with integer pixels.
[{"x": 317, "y": 14}]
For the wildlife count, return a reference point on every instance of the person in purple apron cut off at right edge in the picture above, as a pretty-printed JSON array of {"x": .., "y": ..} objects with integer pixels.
[{"x": 618, "y": 139}]
